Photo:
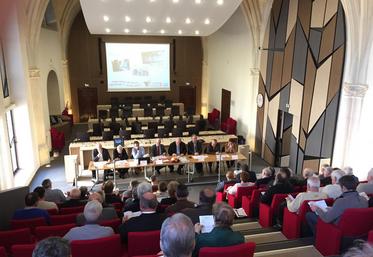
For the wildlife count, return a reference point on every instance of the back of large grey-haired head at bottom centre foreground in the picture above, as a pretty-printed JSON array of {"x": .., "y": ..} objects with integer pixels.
[{"x": 177, "y": 236}]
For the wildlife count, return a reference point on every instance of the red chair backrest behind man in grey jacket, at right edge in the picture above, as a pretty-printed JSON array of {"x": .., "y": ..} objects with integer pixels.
[{"x": 362, "y": 221}]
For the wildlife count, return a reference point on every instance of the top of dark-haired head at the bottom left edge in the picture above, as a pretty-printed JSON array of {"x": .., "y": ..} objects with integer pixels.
[{"x": 52, "y": 247}]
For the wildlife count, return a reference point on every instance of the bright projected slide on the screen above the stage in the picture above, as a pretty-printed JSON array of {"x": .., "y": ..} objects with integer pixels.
[{"x": 138, "y": 67}]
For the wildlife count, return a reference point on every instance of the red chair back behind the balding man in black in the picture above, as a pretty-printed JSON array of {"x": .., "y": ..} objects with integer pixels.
[{"x": 143, "y": 243}]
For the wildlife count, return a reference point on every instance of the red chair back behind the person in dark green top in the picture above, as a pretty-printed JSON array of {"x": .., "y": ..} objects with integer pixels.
[{"x": 241, "y": 250}]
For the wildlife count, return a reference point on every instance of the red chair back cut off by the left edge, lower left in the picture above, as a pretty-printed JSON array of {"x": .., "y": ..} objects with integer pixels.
[{"x": 18, "y": 236}]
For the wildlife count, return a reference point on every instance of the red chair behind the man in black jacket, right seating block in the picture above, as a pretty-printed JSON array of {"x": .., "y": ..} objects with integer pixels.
[{"x": 266, "y": 211}]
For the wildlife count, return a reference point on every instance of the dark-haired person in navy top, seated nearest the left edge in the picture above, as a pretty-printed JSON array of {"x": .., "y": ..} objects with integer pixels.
[{"x": 31, "y": 211}]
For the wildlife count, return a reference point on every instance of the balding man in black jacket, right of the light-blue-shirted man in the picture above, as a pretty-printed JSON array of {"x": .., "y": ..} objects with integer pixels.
[{"x": 147, "y": 221}]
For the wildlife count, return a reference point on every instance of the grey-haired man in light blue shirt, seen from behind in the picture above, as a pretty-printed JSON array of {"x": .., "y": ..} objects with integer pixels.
[{"x": 91, "y": 230}]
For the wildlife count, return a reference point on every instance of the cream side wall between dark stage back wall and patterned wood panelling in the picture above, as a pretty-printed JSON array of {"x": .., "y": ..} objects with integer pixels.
[{"x": 229, "y": 62}]
